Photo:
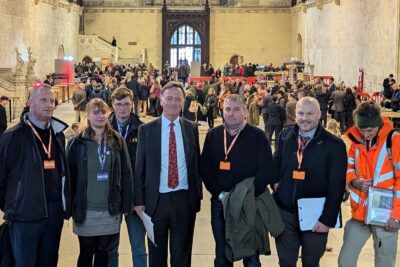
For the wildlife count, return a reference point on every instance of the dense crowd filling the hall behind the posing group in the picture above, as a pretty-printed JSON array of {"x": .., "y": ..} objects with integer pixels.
[{"x": 204, "y": 101}]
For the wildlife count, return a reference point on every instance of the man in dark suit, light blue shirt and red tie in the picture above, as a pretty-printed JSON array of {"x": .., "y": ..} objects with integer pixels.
[{"x": 167, "y": 183}]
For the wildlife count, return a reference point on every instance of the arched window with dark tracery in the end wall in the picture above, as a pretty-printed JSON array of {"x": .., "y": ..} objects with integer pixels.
[{"x": 185, "y": 46}]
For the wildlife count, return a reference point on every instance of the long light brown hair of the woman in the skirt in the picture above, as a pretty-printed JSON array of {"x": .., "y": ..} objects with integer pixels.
[{"x": 111, "y": 135}]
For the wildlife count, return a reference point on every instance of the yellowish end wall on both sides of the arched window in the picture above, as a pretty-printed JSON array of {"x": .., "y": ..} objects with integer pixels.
[{"x": 261, "y": 36}]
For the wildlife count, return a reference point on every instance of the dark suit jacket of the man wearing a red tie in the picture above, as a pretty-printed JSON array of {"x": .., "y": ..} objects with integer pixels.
[{"x": 148, "y": 164}]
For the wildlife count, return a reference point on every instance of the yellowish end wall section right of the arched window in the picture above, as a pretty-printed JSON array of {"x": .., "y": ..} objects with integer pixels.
[{"x": 259, "y": 36}]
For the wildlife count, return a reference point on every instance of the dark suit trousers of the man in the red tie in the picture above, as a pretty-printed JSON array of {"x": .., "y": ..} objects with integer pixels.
[{"x": 175, "y": 219}]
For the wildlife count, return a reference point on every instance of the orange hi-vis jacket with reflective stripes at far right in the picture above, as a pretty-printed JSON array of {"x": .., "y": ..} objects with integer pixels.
[{"x": 373, "y": 165}]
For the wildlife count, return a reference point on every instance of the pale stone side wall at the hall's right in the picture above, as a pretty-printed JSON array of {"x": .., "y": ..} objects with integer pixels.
[{"x": 339, "y": 39}]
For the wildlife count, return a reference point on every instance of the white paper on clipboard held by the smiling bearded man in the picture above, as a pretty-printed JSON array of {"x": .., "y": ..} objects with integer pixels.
[{"x": 310, "y": 209}]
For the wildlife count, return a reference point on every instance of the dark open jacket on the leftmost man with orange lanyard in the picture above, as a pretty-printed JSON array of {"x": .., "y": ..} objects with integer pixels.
[{"x": 22, "y": 195}]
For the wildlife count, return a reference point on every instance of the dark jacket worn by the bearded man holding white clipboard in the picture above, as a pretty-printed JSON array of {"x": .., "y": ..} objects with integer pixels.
[{"x": 324, "y": 162}]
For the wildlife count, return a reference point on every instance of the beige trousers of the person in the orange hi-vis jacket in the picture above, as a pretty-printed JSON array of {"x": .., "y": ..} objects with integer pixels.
[{"x": 355, "y": 236}]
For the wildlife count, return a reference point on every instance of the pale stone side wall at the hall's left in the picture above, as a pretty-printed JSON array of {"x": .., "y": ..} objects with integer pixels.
[{"x": 42, "y": 26}]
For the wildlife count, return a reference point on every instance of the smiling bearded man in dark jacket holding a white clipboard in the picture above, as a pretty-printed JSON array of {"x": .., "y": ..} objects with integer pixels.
[{"x": 311, "y": 163}]
